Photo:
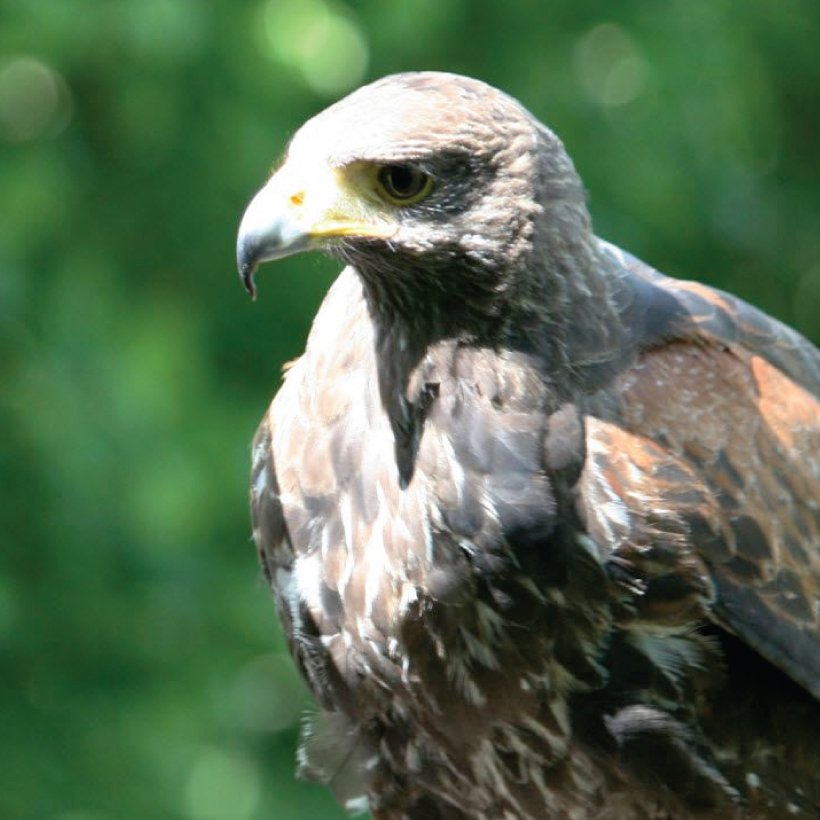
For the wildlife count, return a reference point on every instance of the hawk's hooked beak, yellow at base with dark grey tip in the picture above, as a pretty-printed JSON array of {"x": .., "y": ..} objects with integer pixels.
[{"x": 301, "y": 208}]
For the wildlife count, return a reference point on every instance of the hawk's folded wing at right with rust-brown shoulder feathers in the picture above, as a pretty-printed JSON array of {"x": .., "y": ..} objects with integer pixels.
[{"x": 704, "y": 473}]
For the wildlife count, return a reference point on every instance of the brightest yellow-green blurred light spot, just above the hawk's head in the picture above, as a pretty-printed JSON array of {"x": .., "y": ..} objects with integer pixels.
[{"x": 323, "y": 42}]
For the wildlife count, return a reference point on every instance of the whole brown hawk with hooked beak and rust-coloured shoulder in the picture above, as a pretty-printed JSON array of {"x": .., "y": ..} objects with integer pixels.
[{"x": 542, "y": 524}]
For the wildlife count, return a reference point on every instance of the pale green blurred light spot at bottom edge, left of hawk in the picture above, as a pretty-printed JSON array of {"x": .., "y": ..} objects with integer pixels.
[{"x": 222, "y": 785}]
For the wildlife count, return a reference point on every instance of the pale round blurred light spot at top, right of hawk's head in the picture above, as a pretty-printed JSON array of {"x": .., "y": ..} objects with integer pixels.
[{"x": 609, "y": 67}]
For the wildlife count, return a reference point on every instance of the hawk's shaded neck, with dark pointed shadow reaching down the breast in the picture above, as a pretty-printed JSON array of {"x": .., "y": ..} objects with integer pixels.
[{"x": 566, "y": 323}]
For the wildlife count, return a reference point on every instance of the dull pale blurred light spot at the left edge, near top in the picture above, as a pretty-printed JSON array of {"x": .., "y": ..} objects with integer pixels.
[{"x": 35, "y": 102}]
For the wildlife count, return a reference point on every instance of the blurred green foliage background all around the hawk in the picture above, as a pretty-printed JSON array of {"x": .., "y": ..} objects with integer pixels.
[{"x": 142, "y": 673}]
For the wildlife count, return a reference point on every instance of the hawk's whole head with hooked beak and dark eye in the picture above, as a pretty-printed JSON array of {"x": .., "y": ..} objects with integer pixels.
[{"x": 420, "y": 179}]
